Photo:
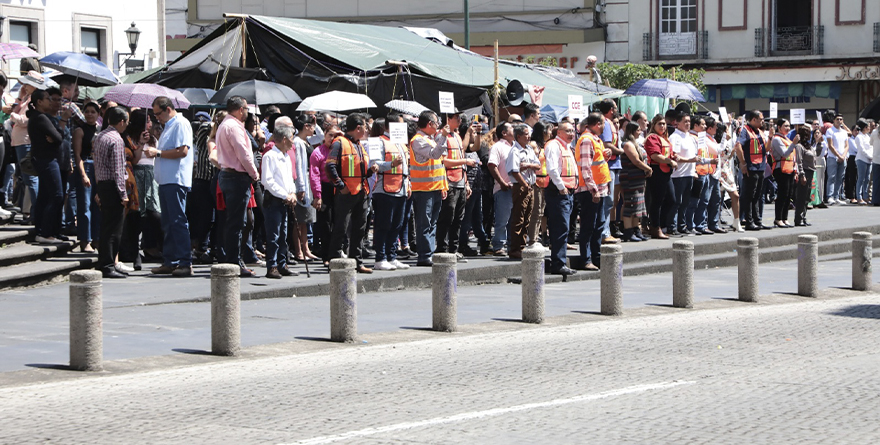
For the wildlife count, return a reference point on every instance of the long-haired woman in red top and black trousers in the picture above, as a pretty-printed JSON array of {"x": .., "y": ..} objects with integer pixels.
[{"x": 662, "y": 162}]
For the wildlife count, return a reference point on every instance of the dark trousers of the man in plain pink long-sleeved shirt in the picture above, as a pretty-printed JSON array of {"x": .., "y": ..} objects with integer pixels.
[{"x": 236, "y": 189}]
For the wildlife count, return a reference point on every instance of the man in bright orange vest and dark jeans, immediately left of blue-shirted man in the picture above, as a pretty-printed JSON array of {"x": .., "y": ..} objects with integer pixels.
[{"x": 593, "y": 186}]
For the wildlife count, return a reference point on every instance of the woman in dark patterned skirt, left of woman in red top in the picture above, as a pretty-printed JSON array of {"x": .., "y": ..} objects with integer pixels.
[{"x": 633, "y": 174}]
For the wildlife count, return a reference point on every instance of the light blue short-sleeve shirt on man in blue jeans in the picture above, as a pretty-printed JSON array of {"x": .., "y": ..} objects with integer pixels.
[{"x": 177, "y": 133}]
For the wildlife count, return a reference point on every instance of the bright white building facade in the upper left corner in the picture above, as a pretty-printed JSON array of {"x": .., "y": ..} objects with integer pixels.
[{"x": 92, "y": 27}]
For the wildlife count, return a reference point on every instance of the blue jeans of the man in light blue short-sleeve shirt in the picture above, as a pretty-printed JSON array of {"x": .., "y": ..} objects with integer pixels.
[{"x": 176, "y": 247}]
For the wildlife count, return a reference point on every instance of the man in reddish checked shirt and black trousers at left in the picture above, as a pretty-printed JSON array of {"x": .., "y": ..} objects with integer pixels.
[{"x": 109, "y": 155}]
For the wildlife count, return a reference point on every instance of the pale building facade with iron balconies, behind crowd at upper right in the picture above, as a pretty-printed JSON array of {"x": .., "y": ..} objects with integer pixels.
[{"x": 812, "y": 54}]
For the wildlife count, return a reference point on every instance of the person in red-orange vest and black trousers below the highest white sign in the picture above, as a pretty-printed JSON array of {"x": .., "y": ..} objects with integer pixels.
[{"x": 453, "y": 207}]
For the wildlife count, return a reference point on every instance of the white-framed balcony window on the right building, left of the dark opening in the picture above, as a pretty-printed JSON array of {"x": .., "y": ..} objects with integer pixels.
[{"x": 678, "y": 28}]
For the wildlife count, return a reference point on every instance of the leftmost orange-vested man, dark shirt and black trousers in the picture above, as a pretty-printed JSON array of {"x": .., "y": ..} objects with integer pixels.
[{"x": 348, "y": 167}]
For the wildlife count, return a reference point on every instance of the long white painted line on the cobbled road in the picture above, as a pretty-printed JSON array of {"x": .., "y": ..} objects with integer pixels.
[{"x": 490, "y": 412}]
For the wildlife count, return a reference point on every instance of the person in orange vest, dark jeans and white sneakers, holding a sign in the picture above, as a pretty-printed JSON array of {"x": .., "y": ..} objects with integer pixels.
[{"x": 389, "y": 194}]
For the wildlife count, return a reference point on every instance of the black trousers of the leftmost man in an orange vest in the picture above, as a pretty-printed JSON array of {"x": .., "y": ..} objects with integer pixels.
[{"x": 349, "y": 211}]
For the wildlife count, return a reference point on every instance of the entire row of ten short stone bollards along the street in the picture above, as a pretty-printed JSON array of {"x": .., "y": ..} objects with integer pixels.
[{"x": 86, "y": 343}]
